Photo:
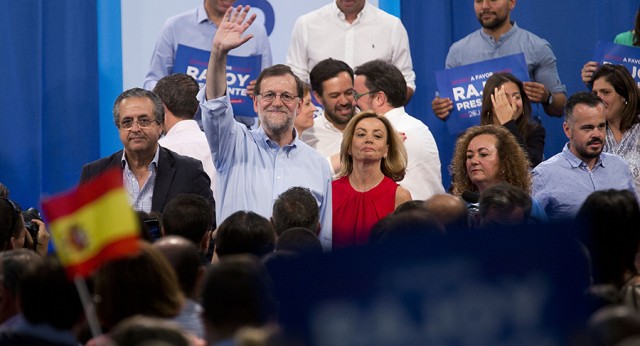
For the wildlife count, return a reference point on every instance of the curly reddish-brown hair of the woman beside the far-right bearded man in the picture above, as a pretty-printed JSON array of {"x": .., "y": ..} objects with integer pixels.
[{"x": 513, "y": 161}]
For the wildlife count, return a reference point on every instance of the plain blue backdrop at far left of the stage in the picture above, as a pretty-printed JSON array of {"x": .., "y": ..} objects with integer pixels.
[{"x": 48, "y": 95}]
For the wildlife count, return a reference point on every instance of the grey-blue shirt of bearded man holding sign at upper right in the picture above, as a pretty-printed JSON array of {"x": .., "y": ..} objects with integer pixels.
[{"x": 478, "y": 46}]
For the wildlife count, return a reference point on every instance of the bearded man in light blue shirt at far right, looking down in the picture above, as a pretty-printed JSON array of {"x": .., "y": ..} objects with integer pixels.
[{"x": 562, "y": 183}]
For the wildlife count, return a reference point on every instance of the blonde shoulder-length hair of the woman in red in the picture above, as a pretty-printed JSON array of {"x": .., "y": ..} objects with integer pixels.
[{"x": 393, "y": 166}]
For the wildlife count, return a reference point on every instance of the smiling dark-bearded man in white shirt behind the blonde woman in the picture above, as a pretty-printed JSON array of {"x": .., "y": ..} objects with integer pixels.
[{"x": 332, "y": 85}]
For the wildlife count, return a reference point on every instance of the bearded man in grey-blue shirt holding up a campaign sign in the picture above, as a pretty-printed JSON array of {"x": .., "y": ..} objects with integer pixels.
[{"x": 498, "y": 37}]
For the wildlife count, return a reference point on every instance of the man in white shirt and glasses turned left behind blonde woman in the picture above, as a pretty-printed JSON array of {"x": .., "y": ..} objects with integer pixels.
[{"x": 380, "y": 87}]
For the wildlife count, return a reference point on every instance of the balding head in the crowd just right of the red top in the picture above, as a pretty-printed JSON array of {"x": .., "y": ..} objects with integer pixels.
[{"x": 449, "y": 210}]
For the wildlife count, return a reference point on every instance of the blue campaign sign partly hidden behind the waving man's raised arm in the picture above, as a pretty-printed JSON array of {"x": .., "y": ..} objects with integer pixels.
[{"x": 240, "y": 71}]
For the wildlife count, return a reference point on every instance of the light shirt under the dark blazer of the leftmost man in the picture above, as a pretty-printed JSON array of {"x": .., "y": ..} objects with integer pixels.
[{"x": 140, "y": 198}]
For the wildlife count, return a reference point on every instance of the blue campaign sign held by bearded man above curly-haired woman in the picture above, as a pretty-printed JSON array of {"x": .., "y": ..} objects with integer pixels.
[{"x": 464, "y": 84}]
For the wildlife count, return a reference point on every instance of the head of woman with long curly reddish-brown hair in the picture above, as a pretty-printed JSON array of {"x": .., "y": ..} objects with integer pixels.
[{"x": 485, "y": 155}]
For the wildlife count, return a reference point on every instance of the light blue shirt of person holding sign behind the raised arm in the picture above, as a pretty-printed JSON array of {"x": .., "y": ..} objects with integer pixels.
[{"x": 193, "y": 28}]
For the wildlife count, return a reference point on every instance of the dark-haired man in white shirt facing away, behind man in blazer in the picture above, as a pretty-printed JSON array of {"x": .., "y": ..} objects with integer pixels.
[{"x": 182, "y": 133}]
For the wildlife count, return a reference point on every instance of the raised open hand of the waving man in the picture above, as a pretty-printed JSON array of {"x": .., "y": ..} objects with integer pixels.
[{"x": 229, "y": 33}]
